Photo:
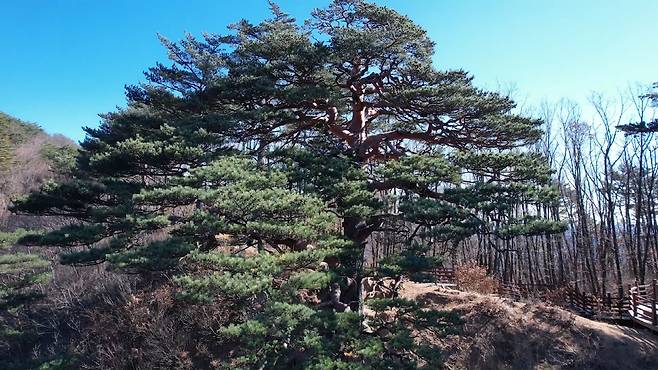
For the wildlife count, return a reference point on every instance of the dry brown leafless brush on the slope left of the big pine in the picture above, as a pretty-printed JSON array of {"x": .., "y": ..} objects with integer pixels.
[{"x": 106, "y": 320}]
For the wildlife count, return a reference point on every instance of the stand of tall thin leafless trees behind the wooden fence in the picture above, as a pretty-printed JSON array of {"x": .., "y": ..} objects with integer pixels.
[{"x": 603, "y": 168}]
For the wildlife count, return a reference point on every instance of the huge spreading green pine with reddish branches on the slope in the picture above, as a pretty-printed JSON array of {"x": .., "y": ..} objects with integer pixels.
[{"x": 257, "y": 165}]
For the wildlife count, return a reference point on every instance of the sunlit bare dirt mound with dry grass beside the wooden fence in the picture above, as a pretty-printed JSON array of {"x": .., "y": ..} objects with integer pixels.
[{"x": 499, "y": 333}]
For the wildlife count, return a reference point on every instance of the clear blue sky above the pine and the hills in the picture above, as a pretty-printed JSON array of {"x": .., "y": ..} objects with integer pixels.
[{"x": 63, "y": 62}]
